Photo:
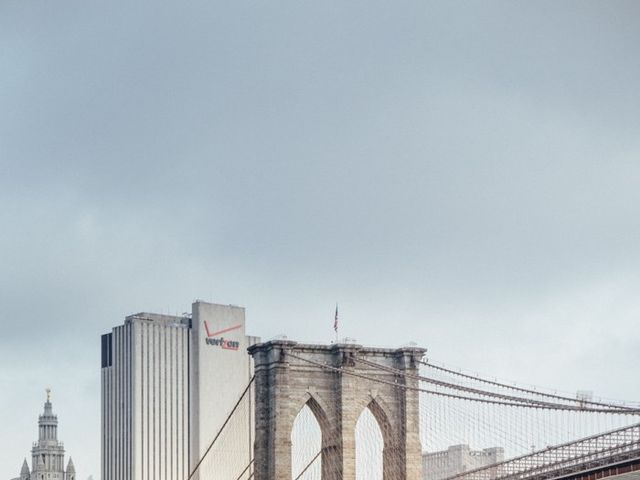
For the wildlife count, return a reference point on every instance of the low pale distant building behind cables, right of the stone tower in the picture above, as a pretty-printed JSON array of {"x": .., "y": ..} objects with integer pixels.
[{"x": 458, "y": 459}]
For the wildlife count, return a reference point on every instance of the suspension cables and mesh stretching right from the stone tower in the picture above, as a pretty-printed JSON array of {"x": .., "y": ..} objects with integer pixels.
[{"x": 454, "y": 413}]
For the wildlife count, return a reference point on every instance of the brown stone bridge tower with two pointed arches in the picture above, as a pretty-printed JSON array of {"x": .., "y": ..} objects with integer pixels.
[{"x": 337, "y": 387}]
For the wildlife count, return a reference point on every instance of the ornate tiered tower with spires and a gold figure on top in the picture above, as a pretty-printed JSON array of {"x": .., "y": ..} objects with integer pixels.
[{"x": 47, "y": 454}]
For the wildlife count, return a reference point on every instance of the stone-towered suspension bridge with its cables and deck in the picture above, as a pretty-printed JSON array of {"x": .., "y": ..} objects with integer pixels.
[{"x": 347, "y": 412}]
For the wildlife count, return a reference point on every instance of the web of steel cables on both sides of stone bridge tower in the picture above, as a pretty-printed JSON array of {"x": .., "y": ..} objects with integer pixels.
[{"x": 466, "y": 424}]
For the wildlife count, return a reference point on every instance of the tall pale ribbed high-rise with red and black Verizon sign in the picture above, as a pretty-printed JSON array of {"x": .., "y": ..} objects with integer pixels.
[{"x": 168, "y": 384}]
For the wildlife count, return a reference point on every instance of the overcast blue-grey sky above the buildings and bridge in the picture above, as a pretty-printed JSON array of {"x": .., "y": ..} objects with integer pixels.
[{"x": 464, "y": 175}]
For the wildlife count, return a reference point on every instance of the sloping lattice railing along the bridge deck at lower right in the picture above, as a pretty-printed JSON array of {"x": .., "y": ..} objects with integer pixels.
[{"x": 591, "y": 452}]
